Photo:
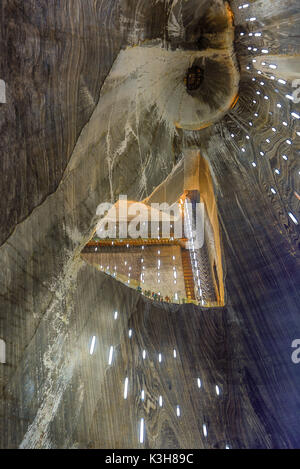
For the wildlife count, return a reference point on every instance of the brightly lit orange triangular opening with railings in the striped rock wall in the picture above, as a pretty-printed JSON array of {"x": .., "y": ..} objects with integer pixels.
[{"x": 166, "y": 247}]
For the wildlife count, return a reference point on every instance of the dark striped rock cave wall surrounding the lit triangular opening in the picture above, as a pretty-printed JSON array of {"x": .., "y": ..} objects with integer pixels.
[{"x": 92, "y": 101}]
